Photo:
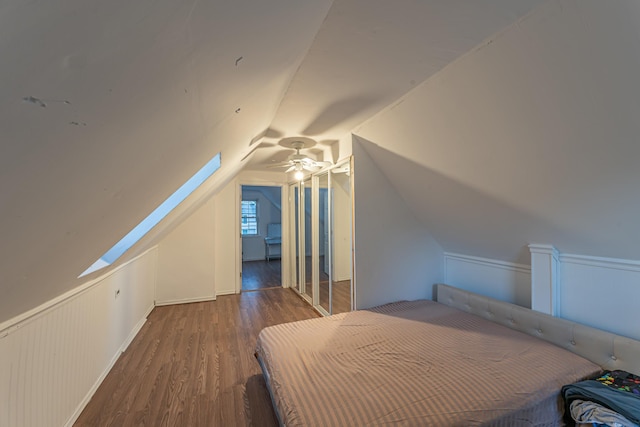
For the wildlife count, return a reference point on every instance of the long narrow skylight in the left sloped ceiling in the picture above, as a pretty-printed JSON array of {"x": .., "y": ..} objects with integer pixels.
[{"x": 155, "y": 217}]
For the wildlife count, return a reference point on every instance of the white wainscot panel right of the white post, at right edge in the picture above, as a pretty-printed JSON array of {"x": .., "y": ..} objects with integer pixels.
[{"x": 601, "y": 292}]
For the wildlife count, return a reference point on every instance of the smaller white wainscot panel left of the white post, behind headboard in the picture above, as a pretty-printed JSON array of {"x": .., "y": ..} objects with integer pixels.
[{"x": 496, "y": 279}]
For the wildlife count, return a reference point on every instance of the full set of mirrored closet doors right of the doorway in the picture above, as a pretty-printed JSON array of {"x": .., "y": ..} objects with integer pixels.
[{"x": 321, "y": 239}]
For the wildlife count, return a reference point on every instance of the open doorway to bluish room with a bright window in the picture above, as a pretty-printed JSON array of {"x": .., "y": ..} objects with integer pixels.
[{"x": 260, "y": 227}]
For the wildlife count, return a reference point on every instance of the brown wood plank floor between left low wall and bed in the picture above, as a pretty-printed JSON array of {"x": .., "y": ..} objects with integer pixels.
[{"x": 193, "y": 365}]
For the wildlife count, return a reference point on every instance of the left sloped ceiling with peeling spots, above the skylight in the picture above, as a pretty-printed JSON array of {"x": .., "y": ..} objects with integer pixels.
[{"x": 108, "y": 107}]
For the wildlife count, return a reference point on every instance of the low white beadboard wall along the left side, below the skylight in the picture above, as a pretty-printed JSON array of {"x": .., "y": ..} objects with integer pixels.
[{"x": 55, "y": 356}]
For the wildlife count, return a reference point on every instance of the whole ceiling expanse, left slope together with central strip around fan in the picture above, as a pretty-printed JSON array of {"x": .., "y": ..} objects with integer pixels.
[{"x": 108, "y": 107}]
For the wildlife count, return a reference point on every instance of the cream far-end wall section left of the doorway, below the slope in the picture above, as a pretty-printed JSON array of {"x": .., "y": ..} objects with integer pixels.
[{"x": 186, "y": 259}]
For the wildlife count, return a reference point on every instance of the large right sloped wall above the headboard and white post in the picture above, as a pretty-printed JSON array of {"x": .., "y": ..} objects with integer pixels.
[{"x": 530, "y": 137}]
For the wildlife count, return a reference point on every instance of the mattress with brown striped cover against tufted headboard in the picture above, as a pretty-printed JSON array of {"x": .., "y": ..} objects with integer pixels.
[{"x": 414, "y": 363}]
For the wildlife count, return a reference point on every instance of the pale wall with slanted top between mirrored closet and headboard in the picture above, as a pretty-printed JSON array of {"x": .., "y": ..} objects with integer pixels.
[{"x": 395, "y": 255}]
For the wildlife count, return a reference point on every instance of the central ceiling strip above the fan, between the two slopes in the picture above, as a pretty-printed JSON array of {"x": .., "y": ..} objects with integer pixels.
[{"x": 367, "y": 54}]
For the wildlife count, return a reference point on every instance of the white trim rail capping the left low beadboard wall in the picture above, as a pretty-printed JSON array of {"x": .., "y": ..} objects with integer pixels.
[{"x": 15, "y": 323}]
